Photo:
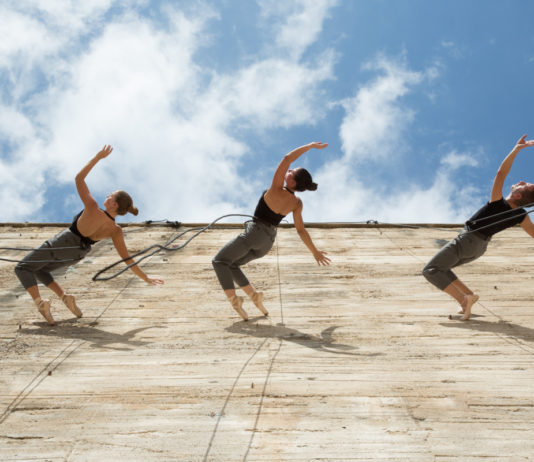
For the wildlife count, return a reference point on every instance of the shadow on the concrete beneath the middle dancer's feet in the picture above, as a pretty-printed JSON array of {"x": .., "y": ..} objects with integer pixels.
[{"x": 323, "y": 343}]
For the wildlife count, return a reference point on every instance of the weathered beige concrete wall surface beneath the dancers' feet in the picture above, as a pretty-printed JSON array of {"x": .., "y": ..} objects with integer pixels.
[{"x": 358, "y": 361}]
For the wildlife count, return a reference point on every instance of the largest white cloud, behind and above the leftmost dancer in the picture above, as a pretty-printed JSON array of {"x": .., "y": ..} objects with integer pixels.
[{"x": 137, "y": 85}]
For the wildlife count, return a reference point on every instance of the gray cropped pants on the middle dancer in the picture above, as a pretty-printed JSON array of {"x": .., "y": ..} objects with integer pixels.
[{"x": 253, "y": 243}]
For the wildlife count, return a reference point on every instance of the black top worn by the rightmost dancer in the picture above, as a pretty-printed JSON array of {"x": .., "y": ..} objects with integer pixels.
[{"x": 494, "y": 217}]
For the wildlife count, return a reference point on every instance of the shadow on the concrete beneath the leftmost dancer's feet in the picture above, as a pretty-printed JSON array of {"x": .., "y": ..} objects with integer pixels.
[{"x": 97, "y": 338}]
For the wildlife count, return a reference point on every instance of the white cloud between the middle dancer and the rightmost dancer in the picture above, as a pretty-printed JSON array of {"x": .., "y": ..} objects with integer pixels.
[{"x": 375, "y": 124}]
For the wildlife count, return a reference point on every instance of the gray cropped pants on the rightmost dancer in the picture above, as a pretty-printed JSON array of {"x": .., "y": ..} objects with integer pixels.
[{"x": 464, "y": 248}]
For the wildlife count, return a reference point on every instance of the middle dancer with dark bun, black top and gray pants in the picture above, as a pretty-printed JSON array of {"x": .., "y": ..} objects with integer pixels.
[{"x": 260, "y": 233}]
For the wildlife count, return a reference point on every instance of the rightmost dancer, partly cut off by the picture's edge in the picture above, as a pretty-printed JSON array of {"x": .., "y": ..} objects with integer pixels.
[{"x": 497, "y": 215}]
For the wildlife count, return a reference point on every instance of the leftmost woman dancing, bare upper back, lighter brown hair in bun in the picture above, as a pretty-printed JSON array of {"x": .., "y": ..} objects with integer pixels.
[{"x": 71, "y": 245}]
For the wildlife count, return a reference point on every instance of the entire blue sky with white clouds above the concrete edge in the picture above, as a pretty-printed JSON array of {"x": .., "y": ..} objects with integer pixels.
[{"x": 419, "y": 101}]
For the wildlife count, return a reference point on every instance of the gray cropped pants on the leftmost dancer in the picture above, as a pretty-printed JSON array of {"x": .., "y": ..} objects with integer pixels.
[{"x": 38, "y": 264}]
